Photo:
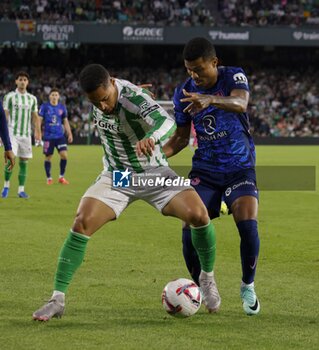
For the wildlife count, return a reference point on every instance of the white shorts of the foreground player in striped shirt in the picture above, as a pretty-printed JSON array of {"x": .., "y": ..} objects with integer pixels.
[{"x": 118, "y": 198}]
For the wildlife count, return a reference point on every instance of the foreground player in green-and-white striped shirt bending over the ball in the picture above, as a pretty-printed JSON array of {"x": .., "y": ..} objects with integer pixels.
[{"x": 131, "y": 126}]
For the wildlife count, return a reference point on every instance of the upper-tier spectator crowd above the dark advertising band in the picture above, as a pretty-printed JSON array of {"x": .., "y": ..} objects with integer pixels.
[{"x": 166, "y": 12}]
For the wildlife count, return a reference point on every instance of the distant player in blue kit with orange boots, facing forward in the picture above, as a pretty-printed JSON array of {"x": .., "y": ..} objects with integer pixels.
[{"x": 54, "y": 115}]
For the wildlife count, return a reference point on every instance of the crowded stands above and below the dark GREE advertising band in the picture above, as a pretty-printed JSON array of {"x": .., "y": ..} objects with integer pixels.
[{"x": 283, "y": 80}]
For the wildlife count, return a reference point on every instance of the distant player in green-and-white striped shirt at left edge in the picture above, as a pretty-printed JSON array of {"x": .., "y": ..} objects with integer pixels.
[{"x": 21, "y": 110}]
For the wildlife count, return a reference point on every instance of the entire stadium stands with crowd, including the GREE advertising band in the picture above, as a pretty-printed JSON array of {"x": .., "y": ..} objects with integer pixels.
[{"x": 276, "y": 42}]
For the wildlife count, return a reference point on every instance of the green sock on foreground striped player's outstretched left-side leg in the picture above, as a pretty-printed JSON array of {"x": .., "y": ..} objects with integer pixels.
[{"x": 71, "y": 257}]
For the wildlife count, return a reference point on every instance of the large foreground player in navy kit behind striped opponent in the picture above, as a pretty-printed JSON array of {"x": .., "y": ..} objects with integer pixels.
[{"x": 215, "y": 99}]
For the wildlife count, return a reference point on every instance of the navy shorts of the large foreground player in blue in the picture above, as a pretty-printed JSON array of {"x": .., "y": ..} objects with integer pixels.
[{"x": 212, "y": 188}]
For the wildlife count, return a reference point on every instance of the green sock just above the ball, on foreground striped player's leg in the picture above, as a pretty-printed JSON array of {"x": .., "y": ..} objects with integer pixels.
[{"x": 204, "y": 241}]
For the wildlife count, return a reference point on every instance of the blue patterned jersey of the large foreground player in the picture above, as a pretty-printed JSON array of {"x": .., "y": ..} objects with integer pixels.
[{"x": 224, "y": 141}]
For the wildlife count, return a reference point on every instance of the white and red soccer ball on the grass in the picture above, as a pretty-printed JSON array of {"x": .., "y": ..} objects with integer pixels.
[{"x": 181, "y": 298}]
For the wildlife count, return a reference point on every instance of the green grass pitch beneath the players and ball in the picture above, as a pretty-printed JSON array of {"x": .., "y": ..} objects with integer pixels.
[{"x": 114, "y": 301}]
